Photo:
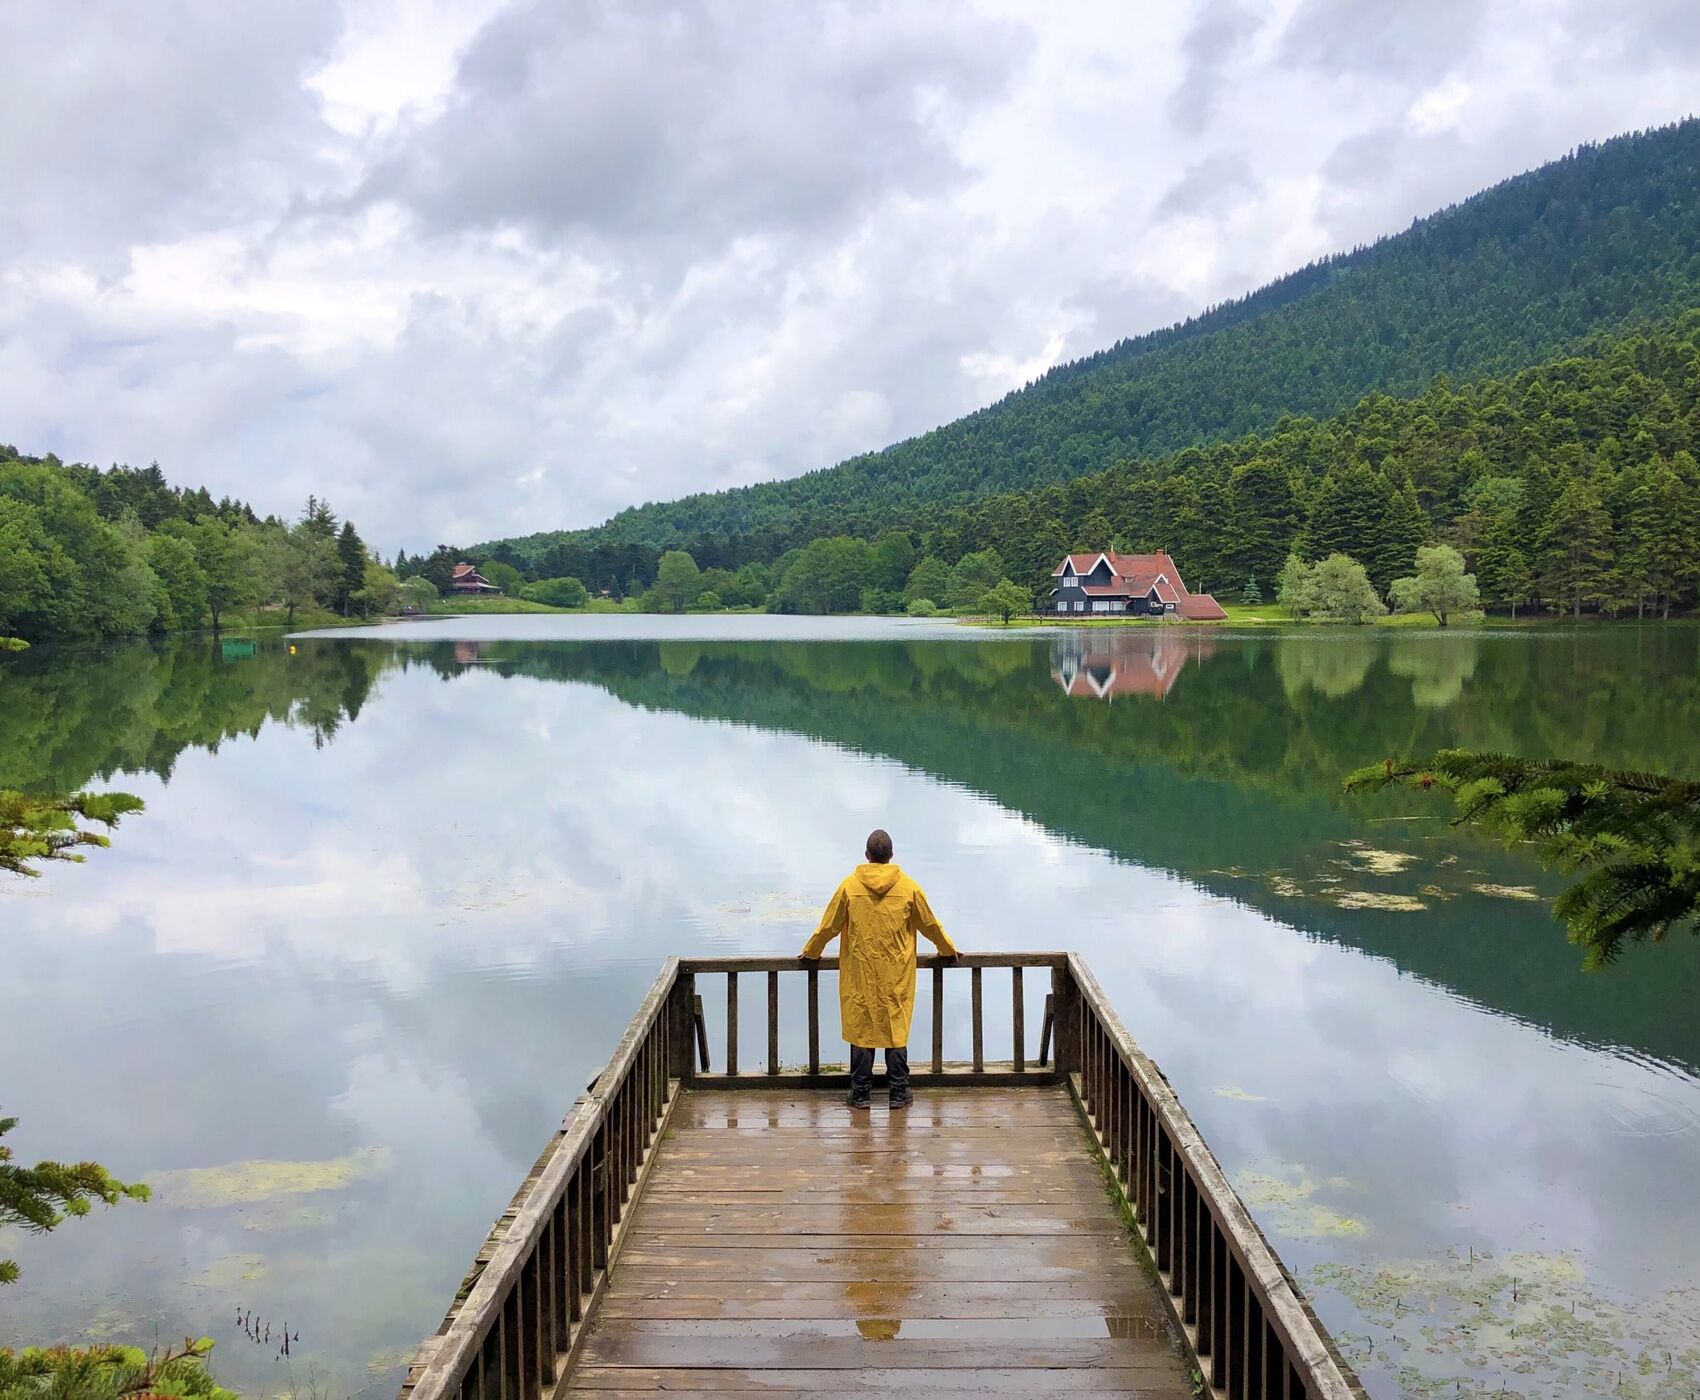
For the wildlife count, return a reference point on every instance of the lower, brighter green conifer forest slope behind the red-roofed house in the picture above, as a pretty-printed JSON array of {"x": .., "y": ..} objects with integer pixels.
[{"x": 1572, "y": 485}]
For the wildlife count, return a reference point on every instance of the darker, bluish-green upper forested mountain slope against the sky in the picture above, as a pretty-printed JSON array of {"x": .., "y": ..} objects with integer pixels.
[{"x": 1510, "y": 278}]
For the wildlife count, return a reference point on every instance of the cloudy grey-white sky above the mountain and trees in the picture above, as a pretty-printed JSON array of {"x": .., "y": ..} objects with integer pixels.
[{"x": 479, "y": 268}]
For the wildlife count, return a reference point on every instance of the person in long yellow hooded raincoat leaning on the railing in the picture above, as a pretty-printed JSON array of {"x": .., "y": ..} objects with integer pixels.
[{"x": 878, "y": 912}]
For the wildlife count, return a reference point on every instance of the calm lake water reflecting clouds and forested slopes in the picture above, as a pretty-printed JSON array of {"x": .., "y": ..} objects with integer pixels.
[{"x": 395, "y": 896}]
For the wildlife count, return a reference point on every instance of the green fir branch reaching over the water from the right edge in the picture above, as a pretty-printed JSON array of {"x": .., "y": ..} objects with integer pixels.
[{"x": 1636, "y": 837}]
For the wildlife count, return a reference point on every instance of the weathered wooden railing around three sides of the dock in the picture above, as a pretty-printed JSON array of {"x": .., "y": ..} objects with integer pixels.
[{"x": 519, "y": 1319}]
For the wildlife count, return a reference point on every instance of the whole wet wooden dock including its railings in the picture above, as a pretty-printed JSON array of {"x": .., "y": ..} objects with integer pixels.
[{"x": 705, "y": 1234}]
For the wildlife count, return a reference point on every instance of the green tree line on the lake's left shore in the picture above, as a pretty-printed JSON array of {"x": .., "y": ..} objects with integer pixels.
[{"x": 120, "y": 553}]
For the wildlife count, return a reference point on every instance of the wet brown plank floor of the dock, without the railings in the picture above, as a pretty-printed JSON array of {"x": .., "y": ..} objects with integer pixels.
[{"x": 966, "y": 1246}]
